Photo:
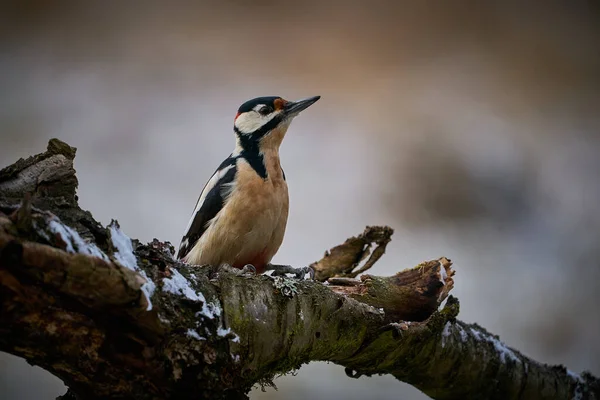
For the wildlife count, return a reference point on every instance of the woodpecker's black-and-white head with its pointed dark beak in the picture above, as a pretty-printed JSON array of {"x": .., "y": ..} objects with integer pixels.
[{"x": 265, "y": 120}]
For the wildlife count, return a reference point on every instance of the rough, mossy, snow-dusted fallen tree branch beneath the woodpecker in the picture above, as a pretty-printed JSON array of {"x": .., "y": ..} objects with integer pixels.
[{"x": 114, "y": 318}]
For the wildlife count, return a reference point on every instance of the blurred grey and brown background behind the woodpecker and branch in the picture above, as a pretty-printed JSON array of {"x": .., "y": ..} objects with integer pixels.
[{"x": 472, "y": 128}]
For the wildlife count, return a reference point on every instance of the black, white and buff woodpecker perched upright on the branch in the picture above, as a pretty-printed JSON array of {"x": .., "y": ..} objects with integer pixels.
[{"x": 241, "y": 214}]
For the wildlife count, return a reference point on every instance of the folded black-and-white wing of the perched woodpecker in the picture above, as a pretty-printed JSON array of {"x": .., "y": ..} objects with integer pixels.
[{"x": 213, "y": 203}]
